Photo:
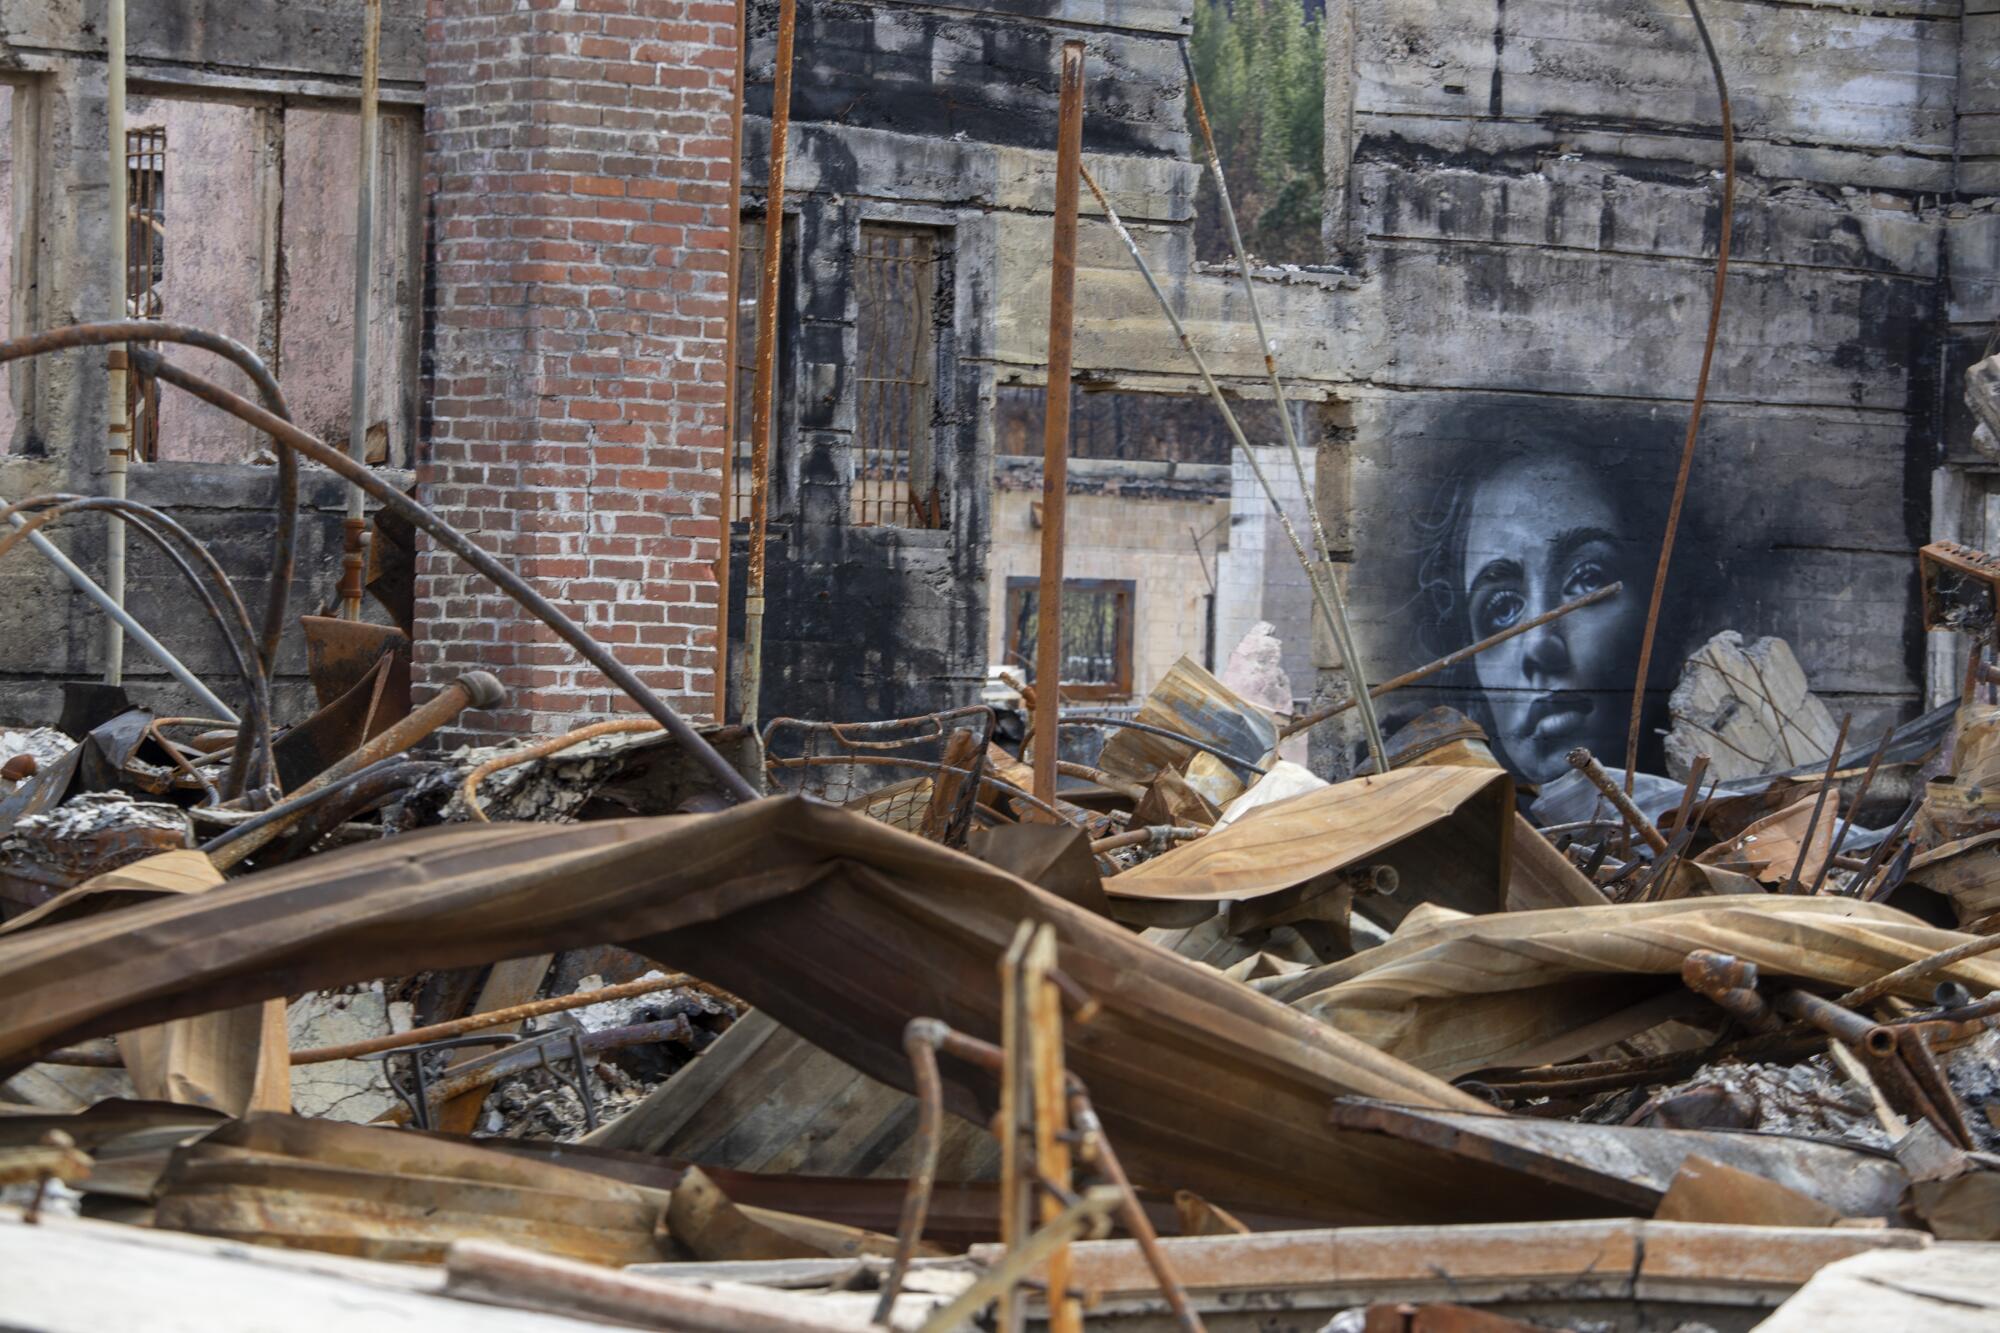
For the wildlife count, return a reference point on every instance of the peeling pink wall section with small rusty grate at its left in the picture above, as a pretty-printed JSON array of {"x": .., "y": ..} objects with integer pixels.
[{"x": 213, "y": 257}]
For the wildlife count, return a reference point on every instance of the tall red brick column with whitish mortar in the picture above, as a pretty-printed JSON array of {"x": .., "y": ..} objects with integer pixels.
[{"x": 579, "y": 157}]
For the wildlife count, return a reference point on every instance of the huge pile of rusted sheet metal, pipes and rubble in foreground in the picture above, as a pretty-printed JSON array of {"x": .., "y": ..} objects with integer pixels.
[{"x": 1065, "y": 1016}]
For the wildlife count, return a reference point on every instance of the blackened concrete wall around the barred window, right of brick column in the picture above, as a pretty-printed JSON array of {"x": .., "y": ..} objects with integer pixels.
[{"x": 947, "y": 121}]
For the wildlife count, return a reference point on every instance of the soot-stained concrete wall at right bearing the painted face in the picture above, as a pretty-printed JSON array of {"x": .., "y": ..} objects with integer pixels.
[{"x": 1533, "y": 197}]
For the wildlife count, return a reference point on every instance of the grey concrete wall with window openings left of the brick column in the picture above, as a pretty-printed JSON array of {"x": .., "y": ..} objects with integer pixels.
[{"x": 255, "y": 61}]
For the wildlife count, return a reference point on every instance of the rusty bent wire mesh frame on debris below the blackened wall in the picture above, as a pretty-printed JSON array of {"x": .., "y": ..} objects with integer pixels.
[{"x": 917, "y": 774}]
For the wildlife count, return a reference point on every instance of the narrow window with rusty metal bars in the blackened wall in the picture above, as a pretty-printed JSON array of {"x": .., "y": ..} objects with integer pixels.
[{"x": 895, "y": 423}]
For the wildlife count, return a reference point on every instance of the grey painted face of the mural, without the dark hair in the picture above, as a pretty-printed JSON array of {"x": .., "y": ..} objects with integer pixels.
[{"x": 1541, "y": 533}]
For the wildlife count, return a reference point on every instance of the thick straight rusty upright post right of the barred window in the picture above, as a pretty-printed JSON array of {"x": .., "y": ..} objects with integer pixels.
[{"x": 1057, "y": 425}]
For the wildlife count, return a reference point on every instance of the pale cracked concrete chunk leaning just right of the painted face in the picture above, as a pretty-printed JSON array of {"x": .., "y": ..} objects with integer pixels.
[{"x": 1749, "y": 710}]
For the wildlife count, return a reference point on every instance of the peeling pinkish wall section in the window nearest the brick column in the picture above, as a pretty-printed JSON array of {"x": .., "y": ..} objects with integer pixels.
[{"x": 317, "y": 327}]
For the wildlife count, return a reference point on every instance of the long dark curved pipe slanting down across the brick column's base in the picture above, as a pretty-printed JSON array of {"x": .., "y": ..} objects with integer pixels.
[{"x": 389, "y": 497}]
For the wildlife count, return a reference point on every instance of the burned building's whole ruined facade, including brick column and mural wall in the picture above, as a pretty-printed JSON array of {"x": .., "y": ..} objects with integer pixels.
[{"x": 1493, "y": 359}]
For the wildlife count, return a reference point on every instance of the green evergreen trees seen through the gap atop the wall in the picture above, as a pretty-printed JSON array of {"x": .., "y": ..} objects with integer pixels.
[{"x": 1263, "y": 73}]
